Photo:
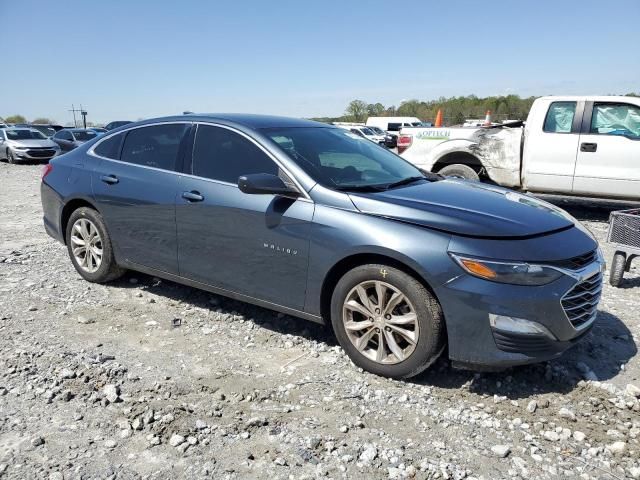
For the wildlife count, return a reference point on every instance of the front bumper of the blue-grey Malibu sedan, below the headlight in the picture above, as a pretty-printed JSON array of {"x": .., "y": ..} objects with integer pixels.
[{"x": 469, "y": 302}]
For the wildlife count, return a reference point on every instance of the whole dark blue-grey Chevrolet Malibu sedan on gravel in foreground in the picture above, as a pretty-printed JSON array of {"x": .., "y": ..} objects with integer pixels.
[{"x": 316, "y": 222}]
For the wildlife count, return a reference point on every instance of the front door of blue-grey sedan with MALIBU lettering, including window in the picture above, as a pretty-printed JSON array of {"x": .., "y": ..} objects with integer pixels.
[{"x": 254, "y": 245}]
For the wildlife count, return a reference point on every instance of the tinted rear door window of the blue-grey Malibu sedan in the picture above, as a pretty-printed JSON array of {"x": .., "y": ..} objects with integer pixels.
[{"x": 155, "y": 146}]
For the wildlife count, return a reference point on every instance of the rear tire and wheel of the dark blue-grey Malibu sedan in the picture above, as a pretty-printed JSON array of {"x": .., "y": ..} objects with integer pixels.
[{"x": 86, "y": 265}]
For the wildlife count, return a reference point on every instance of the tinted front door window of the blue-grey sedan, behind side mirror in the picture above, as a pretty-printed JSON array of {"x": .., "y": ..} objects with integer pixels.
[{"x": 220, "y": 154}]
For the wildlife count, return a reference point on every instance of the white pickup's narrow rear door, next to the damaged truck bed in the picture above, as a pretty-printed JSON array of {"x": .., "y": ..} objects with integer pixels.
[{"x": 550, "y": 151}]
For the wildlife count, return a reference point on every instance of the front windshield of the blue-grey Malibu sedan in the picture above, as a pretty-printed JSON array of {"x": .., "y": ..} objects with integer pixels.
[{"x": 341, "y": 159}]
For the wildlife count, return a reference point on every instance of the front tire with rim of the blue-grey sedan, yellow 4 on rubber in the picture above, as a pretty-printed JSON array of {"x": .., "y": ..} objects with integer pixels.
[{"x": 428, "y": 326}]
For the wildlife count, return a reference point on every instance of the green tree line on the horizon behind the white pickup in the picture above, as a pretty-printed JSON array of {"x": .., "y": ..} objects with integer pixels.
[{"x": 455, "y": 109}]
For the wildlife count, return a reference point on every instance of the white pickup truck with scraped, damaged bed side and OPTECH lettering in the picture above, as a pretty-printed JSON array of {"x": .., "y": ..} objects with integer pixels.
[{"x": 587, "y": 146}]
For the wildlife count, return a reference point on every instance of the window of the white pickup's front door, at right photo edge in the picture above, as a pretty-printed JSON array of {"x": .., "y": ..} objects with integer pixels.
[{"x": 616, "y": 119}]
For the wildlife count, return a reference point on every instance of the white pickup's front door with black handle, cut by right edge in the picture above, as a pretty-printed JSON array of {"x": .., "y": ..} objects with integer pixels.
[{"x": 608, "y": 161}]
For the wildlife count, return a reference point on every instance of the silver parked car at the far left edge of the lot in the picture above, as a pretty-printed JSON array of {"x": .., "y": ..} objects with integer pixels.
[{"x": 20, "y": 144}]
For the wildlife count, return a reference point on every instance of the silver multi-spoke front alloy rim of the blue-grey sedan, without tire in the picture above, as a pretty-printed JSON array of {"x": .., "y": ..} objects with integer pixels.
[{"x": 380, "y": 322}]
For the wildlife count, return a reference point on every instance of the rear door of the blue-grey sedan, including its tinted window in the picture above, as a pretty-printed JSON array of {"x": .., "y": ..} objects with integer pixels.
[{"x": 135, "y": 186}]
